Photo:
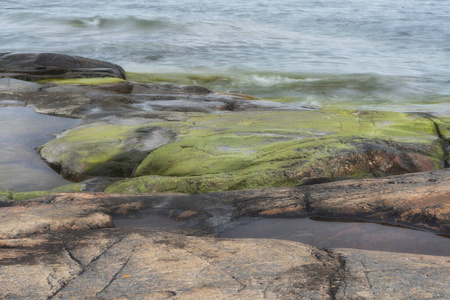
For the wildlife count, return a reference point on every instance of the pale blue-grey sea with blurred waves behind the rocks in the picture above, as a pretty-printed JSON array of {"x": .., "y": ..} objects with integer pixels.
[{"x": 378, "y": 54}]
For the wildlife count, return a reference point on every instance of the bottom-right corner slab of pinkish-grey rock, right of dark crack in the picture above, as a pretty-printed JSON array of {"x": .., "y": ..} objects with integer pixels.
[{"x": 381, "y": 275}]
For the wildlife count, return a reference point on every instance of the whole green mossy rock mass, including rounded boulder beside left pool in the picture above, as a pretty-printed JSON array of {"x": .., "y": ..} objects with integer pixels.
[{"x": 198, "y": 153}]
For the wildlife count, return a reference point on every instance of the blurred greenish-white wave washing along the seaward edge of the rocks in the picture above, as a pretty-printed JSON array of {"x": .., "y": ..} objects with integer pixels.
[{"x": 368, "y": 91}]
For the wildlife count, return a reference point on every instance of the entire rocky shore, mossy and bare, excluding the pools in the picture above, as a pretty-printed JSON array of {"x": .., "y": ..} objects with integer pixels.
[{"x": 188, "y": 153}]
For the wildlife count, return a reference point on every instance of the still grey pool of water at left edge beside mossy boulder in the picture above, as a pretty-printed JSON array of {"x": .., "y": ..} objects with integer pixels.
[{"x": 21, "y": 131}]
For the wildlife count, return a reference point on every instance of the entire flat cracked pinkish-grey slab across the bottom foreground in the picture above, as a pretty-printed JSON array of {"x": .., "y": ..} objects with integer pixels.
[{"x": 153, "y": 264}]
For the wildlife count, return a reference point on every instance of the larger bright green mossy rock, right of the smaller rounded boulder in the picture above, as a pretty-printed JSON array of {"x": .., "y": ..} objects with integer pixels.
[{"x": 239, "y": 150}]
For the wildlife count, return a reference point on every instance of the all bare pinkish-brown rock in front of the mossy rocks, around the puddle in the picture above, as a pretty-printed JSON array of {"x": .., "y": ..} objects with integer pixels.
[{"x": 63, "y": 246}]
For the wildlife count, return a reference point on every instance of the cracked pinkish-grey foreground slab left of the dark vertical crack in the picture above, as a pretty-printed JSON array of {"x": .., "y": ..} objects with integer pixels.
[{"x": 156, "y": 265}]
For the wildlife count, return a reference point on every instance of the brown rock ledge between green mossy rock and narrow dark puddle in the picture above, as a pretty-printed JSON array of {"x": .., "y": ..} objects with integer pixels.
[{"x": 419, "y": 200}]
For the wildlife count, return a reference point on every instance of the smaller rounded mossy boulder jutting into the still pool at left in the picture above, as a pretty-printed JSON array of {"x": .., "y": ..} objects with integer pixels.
[{"x": 103, "y": 149}]
